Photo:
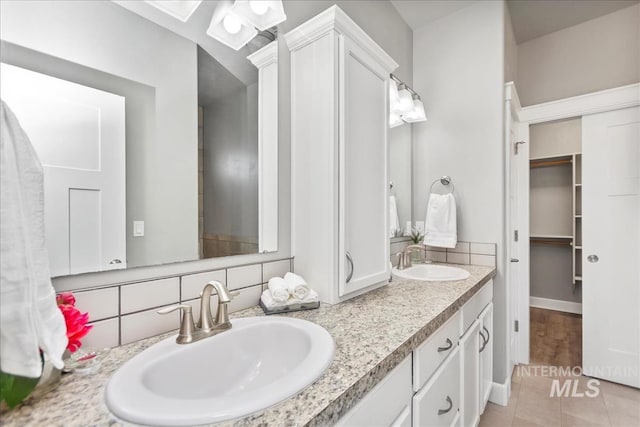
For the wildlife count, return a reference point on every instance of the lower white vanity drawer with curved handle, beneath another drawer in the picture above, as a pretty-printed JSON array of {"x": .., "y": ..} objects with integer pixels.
[{"x": 438, "y": 403}]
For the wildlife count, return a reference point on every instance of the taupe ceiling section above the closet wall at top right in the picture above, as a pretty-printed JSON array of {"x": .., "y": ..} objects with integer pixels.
[{"x": 535, "y": 18}]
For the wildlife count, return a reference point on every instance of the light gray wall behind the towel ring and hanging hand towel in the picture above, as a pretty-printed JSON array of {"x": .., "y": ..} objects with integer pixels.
[{"x": 459, "y": 66}]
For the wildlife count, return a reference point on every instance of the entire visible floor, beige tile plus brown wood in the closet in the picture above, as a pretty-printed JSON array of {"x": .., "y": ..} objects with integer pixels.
[{"x": 556, "y": 340}]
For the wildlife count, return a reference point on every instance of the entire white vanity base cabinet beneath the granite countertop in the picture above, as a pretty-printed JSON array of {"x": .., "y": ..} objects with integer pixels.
[{"x": 451, "y": 374}]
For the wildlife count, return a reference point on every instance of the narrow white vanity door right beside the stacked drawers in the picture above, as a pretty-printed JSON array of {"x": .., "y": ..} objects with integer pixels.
[{"x": 470, "y": 384}]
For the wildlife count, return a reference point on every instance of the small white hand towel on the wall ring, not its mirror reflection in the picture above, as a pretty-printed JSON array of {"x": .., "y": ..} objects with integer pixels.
[{"x": 440, "y": 224}]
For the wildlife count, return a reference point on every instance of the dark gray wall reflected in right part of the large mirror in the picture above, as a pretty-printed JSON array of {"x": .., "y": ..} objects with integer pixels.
[{"x": 231, "y": 164}]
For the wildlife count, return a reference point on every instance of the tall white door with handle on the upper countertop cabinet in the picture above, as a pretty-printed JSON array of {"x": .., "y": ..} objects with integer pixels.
[{"x": 363, "y": 172}]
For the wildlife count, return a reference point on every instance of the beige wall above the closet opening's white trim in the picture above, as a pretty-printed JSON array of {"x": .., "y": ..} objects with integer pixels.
[{"x": 599, "y": 54}]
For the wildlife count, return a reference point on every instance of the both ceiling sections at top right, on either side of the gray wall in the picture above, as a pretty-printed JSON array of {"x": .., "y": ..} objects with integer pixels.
[{"x": 530, "y": 18}]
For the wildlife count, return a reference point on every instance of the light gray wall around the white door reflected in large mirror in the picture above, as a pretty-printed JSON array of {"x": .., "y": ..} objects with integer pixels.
[{"x": 162, "y": 172}]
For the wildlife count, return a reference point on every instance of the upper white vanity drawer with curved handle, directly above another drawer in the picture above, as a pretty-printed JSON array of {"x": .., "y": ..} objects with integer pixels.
[{"x": 435, "y": 350}]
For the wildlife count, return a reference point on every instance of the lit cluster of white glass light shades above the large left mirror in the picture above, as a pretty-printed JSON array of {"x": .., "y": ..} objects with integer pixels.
[{"x": 235, "y": 25}]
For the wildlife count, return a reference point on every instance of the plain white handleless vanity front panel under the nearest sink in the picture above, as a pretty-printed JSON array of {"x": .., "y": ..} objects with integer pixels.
[{"x": 385, "y": 403}]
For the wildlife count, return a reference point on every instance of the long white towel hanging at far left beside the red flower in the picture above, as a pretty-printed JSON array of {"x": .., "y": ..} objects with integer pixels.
[{"x": 29, "y": 314}]
